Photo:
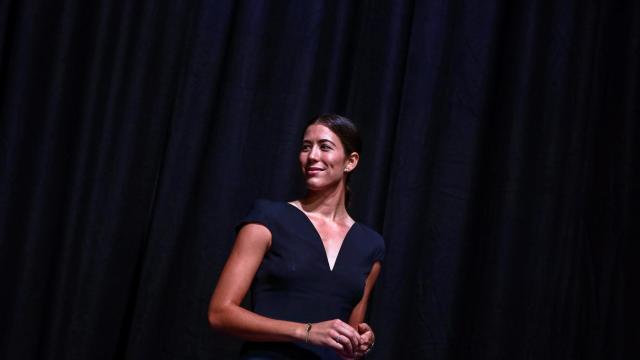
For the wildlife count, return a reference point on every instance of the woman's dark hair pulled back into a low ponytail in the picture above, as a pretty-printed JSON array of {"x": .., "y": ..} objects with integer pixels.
[{"x": 348, "y": 134}]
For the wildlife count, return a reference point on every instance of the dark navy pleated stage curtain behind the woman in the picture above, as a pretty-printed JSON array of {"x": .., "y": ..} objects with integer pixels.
[{"x": 500, "y": 164}]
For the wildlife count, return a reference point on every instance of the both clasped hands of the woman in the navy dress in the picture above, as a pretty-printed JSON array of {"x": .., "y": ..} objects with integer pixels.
[{"x": 348, "y": 342}]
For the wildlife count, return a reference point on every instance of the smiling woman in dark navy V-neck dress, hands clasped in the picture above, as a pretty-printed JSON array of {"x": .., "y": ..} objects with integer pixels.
[{"x": 310, "y": 266}]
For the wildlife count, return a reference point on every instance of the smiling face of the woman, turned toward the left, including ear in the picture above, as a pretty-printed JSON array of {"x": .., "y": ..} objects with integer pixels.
[{"x": 322, "y": 158}]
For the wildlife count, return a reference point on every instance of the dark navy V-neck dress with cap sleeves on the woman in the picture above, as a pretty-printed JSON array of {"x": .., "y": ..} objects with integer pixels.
[{"x": 295, "y": 283}]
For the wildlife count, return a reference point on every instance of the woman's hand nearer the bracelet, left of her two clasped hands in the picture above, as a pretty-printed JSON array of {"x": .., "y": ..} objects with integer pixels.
[{"x": 337, "y": 335}]
